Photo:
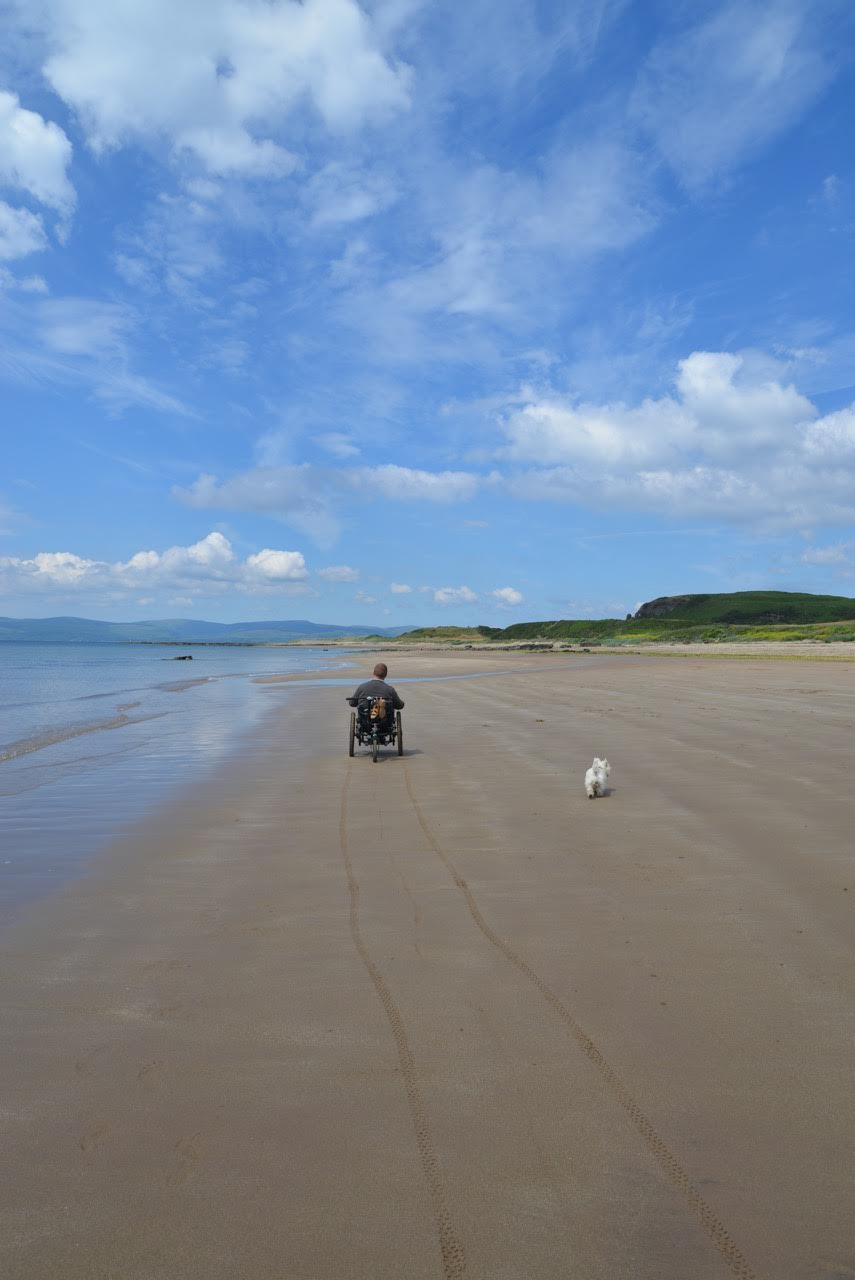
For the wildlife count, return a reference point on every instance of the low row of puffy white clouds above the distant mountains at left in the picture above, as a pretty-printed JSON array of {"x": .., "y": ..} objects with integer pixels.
[{"x": 207, "y": 568}]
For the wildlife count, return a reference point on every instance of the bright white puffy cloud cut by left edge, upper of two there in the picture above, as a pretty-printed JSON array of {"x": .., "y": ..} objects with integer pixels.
[{"x": 35, "y": 156}]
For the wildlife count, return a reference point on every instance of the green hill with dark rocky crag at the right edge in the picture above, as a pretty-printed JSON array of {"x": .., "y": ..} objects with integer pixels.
[{"x": 746, "y": 609}]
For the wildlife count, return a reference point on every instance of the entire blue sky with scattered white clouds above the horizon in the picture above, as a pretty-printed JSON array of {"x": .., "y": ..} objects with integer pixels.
[{"x": 417, "y": 312}]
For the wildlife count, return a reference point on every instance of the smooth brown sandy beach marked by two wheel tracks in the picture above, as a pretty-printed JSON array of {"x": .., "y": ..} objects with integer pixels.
[{"x": 443, "y": 1017}]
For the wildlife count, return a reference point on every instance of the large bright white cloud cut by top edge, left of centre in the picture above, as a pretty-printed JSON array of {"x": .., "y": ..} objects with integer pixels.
[{"x": 218, "y": 79}]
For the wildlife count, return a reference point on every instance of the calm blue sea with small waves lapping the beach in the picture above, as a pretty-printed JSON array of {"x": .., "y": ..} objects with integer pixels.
[{"x": 95, "y": 737}]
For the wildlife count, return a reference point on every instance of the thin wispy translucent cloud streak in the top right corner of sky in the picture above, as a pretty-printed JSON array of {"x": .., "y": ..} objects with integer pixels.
[{"x": 716, "y": 93}]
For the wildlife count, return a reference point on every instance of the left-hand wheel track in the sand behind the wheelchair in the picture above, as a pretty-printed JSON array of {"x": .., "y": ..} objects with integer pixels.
[{"x": 451, "y": 1249}]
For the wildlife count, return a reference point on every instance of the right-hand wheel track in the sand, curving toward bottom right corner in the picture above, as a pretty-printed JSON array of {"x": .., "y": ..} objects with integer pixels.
[{"x": 665, "y": 1158}]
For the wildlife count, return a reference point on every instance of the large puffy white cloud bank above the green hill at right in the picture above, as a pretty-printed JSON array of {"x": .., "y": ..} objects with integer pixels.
[{"x": 733, "y": 441}]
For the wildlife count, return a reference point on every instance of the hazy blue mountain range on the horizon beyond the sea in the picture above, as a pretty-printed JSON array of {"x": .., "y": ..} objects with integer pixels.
[{"x": 179, "y": 632}]
